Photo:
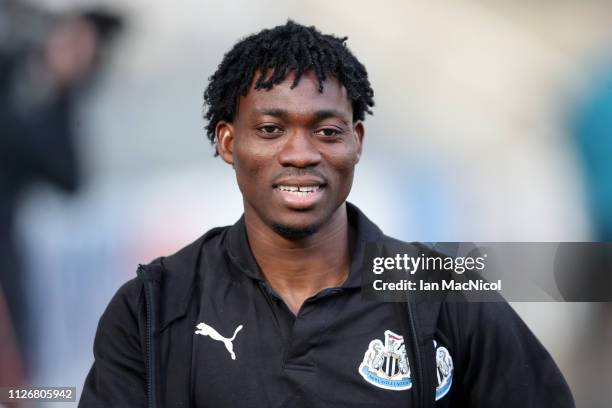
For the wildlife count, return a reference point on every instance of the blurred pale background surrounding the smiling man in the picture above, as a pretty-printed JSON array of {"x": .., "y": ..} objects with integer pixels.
[{"x": 493, "y": 122}]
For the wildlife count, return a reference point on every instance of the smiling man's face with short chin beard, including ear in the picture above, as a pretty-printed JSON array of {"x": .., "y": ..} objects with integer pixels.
[{"x": 294, "y": 152}]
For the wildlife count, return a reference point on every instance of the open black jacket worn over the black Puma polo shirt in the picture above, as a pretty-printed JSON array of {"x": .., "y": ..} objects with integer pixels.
[{"x": 143, "y": 360}]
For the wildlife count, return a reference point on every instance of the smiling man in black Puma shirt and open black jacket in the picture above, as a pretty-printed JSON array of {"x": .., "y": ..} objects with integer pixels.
[{"x": 269, "y": 312}]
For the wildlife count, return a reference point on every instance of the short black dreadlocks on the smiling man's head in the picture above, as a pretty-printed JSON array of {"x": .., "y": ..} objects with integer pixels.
[{"x": 273, "y": 53}]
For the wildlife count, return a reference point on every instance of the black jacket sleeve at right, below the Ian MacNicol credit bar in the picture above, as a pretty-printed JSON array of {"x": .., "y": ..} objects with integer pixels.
[{"x": 504, "y": 363}]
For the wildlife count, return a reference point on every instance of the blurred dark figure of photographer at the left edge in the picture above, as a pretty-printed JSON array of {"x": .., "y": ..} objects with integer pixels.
[{"x": 44, "y": 59}]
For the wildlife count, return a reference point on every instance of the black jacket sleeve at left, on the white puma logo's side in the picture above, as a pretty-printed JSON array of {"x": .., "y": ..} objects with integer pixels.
[{"x": 117, "y": 377}]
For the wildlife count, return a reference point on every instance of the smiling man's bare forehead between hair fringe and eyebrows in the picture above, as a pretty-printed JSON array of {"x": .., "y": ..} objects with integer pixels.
[{"x": 305, "y": 98}]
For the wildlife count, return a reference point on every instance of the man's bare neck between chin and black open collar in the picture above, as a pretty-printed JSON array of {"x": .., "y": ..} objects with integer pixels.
[{"x": 299, "y": 268}]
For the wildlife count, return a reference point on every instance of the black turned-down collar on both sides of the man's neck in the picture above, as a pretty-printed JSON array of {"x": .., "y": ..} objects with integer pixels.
[{"x": 239, "y": 250}]
